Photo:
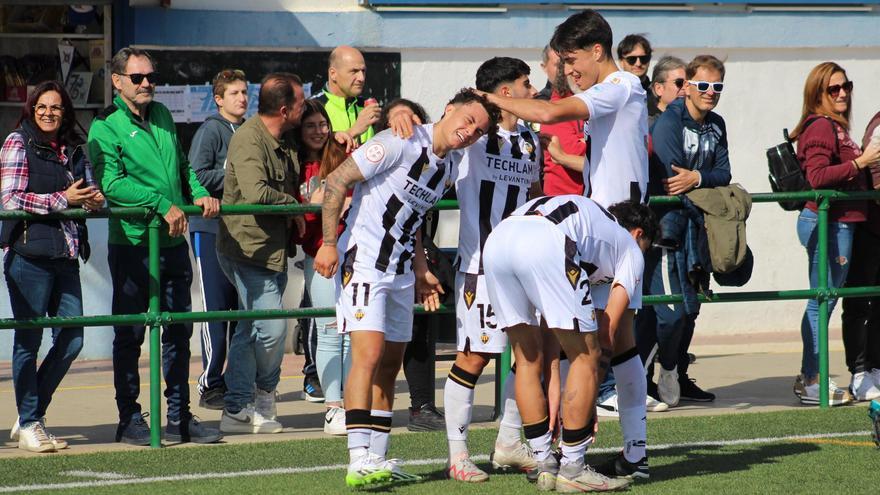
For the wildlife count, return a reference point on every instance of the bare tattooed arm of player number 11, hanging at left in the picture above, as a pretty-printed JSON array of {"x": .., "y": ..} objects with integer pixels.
[{"x": 335, "y": 190}]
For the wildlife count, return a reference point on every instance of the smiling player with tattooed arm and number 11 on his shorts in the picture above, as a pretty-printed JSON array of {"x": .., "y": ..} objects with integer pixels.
[{"x": 395, "y": 182}]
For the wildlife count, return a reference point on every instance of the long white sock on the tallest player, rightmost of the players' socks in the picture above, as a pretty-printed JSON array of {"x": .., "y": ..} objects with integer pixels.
[{"x": 632, "y": 390}]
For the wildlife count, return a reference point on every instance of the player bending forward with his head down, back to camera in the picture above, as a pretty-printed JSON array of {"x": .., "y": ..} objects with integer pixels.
[{"x": 546, "y": 257}]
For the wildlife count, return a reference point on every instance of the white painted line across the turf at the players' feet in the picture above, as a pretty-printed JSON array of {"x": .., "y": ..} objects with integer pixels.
[{"x": 416, "y": 462}]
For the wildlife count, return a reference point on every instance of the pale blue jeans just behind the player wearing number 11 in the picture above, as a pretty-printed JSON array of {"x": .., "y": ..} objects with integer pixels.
[{"x": 333, "y": 356}]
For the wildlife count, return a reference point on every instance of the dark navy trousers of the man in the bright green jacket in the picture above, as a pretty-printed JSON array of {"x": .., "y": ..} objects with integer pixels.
[{"x": 130, "y": 275}]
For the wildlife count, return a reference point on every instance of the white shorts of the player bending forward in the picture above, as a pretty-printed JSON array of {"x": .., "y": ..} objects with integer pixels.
[{"x": 526, "y": 270}]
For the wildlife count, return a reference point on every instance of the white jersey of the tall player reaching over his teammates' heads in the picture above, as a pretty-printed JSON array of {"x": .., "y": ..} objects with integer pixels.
[{"x": 616, "y": 165}]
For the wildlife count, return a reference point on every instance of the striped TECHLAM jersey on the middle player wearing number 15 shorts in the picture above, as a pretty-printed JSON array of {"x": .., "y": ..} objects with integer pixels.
[{"x": 493, "y": 180}]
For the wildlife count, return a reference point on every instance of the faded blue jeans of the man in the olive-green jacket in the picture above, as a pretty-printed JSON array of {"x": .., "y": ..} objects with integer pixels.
[{"x": 257, "y": 346}]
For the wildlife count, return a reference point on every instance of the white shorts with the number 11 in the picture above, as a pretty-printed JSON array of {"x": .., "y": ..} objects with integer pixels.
[{"x": 367, "y": 299}]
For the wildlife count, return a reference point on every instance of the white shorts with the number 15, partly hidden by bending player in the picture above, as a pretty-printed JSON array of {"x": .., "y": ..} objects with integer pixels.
[{"x": 476, "y": 326}]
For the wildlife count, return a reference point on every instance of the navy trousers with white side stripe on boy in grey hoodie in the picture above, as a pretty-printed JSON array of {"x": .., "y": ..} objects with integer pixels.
[{"x": 217, "y": 295}]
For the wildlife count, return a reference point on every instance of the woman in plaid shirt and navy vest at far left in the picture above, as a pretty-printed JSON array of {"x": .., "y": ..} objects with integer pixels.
[{"x": 44, "y": 168}]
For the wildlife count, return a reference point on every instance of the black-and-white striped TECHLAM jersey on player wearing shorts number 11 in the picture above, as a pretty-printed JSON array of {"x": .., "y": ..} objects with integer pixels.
[{"x": 403, "y": 180}]
